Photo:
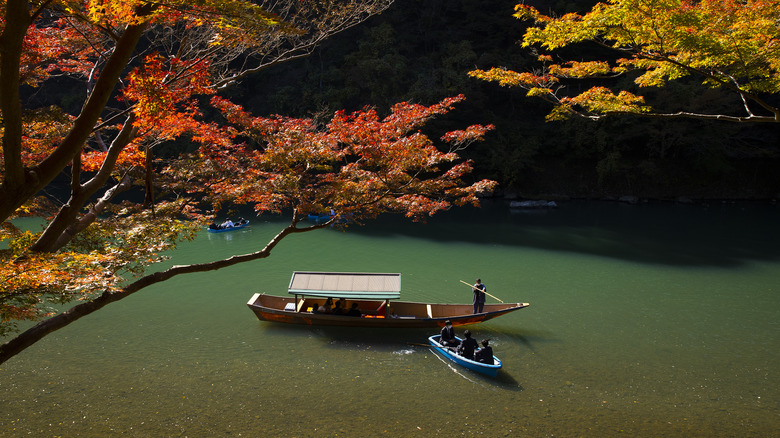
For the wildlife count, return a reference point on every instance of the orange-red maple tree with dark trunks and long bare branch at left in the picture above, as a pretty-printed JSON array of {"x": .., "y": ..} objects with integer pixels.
[{"x": 147, "y": 67}]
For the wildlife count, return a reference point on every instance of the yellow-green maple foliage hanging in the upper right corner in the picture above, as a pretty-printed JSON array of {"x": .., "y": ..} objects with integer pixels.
[{"x": 733, "y": 45}]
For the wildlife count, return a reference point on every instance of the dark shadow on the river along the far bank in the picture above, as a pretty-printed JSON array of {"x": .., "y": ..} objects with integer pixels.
[{"x": 656, "y": 233}]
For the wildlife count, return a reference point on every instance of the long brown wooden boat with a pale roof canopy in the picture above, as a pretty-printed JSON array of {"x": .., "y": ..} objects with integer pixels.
[{"x": 373, "y": 293}]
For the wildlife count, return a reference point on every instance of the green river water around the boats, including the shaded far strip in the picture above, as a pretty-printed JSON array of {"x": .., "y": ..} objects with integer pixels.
[{"x": 645, "y": 320}]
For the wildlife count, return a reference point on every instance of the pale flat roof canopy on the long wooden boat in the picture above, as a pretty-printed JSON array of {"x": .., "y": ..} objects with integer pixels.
[{"x": 371, "y": 286}]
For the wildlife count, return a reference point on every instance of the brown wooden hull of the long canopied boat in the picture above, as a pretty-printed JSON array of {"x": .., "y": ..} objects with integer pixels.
[{"x": 402, "y": 314}]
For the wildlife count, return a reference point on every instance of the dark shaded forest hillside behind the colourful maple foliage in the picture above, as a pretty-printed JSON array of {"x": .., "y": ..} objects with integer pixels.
[{"x": 421, "y": 51}]
